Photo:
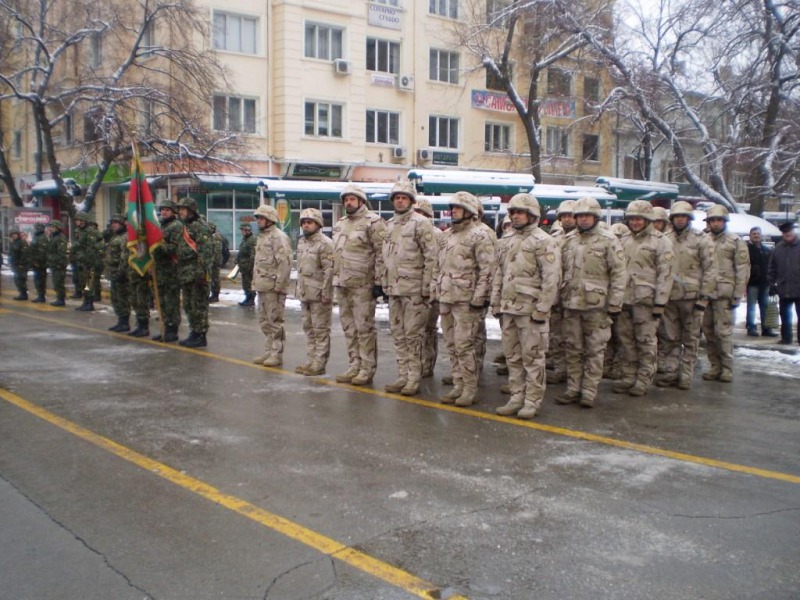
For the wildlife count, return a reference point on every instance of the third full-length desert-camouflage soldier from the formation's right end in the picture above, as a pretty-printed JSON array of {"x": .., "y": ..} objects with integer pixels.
[{"x": 649, "y": 260}]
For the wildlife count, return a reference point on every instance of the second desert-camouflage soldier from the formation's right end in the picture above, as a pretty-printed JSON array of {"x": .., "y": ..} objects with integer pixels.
[{"x": 694, "y": 282}]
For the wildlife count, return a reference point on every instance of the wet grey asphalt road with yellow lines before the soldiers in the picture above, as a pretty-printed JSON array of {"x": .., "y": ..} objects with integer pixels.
[{"x": 131, "y": 470}]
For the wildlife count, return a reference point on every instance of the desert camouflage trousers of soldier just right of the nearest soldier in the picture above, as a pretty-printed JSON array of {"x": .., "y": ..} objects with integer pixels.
[{"x": 586, "y": 333}]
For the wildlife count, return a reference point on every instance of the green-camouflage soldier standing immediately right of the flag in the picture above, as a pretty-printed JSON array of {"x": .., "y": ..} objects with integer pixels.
[{"x": 166, "y": 265}]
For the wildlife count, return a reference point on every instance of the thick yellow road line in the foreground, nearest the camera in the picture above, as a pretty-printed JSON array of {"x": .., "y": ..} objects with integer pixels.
[{"x": 321, "y": 543}]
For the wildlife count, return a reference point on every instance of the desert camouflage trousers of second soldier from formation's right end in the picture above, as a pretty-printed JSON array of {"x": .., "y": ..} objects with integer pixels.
[{"x": 680, "y": 338}]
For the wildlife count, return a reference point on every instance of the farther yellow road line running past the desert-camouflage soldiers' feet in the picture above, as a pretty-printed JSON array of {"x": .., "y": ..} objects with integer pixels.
[{"x": 561, "y": 431}]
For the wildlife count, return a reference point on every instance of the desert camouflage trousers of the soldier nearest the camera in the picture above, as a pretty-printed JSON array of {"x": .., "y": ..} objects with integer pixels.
[{"x": 525, "y": 346}]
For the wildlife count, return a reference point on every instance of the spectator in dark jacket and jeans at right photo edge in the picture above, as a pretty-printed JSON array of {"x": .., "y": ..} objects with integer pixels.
[{"x": 784, "y": 279}]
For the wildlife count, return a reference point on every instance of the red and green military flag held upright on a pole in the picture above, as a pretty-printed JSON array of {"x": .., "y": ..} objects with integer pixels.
[{"x": 144, "y": 231}]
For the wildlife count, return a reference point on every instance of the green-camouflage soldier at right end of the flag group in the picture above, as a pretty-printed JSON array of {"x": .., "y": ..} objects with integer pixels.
[{"x": 194, "y": 259}]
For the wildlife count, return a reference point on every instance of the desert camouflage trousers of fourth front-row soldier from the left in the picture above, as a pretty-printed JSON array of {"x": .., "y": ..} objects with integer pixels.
[{"x": 408, "y": 317}]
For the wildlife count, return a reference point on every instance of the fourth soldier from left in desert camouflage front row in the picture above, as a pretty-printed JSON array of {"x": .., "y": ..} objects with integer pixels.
[{"x": 408, "y": 255}]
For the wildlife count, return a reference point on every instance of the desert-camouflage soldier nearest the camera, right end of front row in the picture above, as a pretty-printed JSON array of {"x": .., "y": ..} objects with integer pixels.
[{"x": 524, "y": 290}]
